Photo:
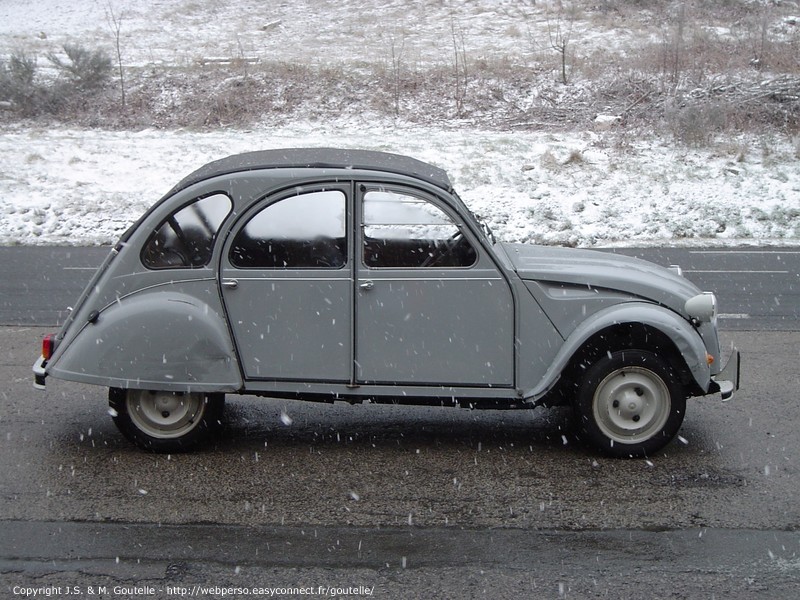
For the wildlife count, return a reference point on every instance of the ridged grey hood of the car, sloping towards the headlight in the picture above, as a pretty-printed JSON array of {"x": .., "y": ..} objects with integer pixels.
[{"x": 602, "y": 270}]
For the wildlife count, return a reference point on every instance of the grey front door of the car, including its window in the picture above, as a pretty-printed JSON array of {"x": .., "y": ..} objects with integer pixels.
[{"x": 431, "y": 306}]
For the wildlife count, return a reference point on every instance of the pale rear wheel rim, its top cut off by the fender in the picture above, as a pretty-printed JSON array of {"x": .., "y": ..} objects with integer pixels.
[{"x": 165, "y": 415}]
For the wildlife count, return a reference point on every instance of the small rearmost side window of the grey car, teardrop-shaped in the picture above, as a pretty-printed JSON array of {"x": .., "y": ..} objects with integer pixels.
[{"x": 186, "y": 238}]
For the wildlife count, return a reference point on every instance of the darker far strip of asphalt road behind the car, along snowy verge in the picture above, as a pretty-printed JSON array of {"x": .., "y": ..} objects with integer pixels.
[{"x": 758, "y": 288}]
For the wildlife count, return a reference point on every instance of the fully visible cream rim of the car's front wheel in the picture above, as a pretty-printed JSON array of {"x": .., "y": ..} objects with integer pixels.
[{"x": 631, "y": 405}]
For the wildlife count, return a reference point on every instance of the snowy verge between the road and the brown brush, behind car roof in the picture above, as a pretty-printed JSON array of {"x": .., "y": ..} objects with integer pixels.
[{"x": 85, "y": 187}]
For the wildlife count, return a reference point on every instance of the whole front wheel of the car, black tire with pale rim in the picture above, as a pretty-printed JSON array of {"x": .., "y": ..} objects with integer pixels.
[{"x": 630, "y": 404}]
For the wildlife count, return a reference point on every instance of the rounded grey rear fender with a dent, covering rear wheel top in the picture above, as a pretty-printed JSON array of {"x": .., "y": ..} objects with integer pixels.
[{"x": 164, "y": 340}]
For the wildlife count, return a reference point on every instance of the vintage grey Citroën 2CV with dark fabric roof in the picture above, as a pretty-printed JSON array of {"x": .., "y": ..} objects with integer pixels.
[{"x": 325, "y": 274}]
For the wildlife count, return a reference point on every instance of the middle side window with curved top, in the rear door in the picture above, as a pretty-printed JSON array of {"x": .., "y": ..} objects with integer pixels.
[{"x": 301, "y": 232}]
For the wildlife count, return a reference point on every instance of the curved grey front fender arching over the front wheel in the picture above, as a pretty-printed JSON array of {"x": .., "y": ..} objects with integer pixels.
[{"x": 686, "y": 339}]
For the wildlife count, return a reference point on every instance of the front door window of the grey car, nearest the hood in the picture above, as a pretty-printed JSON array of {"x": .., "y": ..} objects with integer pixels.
[{"x": 406, "y": 231}]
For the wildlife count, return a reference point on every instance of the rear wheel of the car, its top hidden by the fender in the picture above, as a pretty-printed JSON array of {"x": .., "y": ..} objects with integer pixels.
[{"x": 167, "y": 422}]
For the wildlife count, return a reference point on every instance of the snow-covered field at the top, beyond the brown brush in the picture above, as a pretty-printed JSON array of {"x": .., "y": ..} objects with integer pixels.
[{"x": 167, "y": 32}]
